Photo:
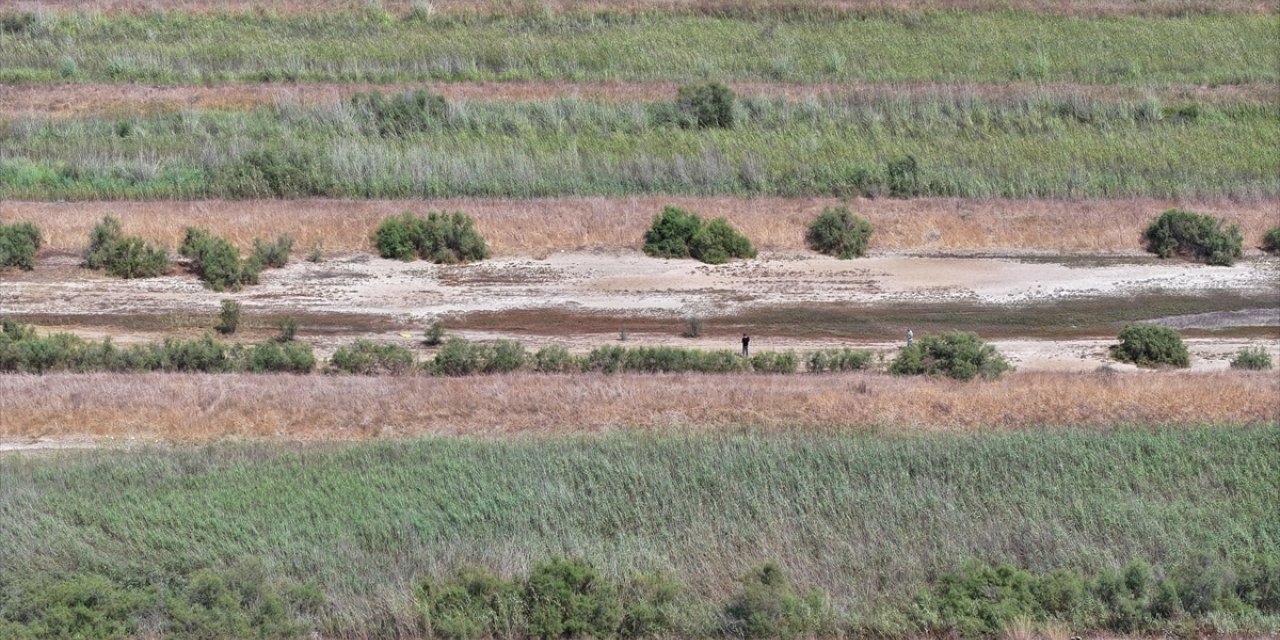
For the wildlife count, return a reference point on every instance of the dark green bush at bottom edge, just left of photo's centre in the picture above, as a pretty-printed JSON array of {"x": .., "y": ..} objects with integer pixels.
[{"x": 568, "y": 598}]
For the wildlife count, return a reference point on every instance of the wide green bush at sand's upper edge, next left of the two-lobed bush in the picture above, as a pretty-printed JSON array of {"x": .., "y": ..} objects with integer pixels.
[{"x": 441, "y": 237}]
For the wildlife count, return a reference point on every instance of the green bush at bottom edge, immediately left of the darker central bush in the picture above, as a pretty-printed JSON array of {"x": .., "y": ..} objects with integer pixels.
[{"x": 473, "y": 605}]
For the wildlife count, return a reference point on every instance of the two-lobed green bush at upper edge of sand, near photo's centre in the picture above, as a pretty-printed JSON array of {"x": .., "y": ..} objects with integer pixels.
[{"x": 679, "y": 234}]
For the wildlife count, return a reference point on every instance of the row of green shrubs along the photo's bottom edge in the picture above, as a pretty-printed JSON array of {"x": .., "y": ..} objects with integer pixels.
[{"x": 570, "y": 598}]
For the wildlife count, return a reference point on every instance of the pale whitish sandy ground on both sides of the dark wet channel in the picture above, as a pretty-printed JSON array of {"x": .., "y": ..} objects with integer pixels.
[{"x": 392, "y": 300}]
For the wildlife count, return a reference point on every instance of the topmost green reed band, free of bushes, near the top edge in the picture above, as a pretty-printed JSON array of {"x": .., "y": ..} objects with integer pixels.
[{"x": 803, "y": 48}]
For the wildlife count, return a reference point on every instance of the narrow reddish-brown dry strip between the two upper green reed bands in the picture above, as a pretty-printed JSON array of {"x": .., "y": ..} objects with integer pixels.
[{"x": 122, "y": 100}]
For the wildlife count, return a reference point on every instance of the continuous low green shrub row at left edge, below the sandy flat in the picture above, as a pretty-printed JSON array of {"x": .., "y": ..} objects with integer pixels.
[{"x": 22, "y": 351}]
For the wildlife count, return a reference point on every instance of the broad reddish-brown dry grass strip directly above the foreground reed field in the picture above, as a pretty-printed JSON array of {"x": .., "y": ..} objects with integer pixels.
[{"x": 181, "y": 406}]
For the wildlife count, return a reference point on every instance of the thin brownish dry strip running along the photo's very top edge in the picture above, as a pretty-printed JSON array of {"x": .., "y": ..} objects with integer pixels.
[{"x": 1084, "y": 8}]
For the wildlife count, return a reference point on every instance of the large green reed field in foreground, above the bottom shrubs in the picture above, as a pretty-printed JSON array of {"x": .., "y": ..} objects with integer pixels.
[{"x": 867, "y": 519}]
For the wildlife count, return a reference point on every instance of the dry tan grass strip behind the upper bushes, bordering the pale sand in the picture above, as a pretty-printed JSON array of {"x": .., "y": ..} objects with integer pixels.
[{"x": 542, "y": 226}]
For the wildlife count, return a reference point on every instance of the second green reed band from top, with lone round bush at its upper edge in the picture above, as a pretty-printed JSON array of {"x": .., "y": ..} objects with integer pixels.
[{"x": 1057, "y": 145}]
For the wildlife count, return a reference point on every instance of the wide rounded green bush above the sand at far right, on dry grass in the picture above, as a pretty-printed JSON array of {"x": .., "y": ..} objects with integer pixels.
[{"x": 1194, "y": 236}]
